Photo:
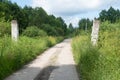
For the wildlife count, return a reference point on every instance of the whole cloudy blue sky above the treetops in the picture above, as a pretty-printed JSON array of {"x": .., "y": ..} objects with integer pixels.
[{"x": 71, "y": 10}]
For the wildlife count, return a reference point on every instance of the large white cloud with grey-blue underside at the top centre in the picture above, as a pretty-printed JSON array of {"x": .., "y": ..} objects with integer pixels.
[{"x": 63, "y": 7}]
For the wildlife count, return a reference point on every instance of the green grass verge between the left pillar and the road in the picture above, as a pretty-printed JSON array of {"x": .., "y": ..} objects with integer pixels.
[{"x": 13, "y": 55}]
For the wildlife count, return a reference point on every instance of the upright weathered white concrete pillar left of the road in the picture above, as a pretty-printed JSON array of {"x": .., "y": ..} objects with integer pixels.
[{"x": 14, "y": 30}]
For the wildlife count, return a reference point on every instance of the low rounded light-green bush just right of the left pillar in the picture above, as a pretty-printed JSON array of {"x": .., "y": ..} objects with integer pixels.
[{"x": 33, "y": 31}]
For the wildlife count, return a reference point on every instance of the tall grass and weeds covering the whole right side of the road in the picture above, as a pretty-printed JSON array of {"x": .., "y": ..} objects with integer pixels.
[{"x": 103, "y": 61}]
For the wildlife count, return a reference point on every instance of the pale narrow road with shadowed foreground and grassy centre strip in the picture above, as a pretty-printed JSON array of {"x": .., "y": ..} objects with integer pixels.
[{"x": 54, "y": 64}]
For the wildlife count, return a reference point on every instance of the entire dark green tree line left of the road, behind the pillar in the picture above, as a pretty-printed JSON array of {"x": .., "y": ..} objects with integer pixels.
[{"x": 28, "y": 16}]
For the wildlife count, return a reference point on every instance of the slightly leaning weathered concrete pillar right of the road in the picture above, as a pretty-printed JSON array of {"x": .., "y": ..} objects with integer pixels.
[{"x": 95, "y": 31}]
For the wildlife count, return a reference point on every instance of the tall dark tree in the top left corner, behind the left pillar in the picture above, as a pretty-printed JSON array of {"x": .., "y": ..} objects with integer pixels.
[{"x": 11, "y": 11}]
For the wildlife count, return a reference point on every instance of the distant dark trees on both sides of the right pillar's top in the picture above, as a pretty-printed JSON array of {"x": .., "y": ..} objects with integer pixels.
[{"x": 112, "y": 15}]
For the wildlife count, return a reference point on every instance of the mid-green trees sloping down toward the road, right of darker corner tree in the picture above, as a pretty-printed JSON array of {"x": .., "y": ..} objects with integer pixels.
[{"x": 49, "y": 23}]
